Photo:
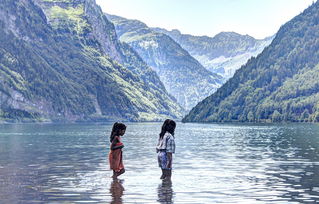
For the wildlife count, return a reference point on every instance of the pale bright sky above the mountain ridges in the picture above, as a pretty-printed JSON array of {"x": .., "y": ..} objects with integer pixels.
[{"x": 257, "y": 18}]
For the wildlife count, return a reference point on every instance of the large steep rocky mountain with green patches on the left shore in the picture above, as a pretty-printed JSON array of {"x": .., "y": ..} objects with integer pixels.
[{"x": 60, "y": 60}]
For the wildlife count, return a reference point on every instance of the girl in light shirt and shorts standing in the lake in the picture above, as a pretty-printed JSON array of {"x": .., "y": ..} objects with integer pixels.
[{"x": 166, "y": 148}]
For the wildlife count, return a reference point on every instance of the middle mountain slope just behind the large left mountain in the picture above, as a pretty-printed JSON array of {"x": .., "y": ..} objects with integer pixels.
[{"x": 183, "y": 76}]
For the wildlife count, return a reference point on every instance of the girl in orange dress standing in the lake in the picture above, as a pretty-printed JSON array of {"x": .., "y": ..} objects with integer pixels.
[{"x": 115, "y": 156}]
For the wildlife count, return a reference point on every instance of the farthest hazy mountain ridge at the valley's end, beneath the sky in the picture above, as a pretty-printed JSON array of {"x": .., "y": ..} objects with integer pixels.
[{"x": 224, "y": 53}]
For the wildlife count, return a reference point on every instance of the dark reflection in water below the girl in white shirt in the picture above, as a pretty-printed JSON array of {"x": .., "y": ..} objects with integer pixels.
[{"x": 165, "y": 192}]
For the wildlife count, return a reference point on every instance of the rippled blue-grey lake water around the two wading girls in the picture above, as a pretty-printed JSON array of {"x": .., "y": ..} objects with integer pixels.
[{"x": 227, "y": 163}]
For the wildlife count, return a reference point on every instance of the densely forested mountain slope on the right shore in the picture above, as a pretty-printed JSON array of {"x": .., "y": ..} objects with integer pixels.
[{"x": 281, "y": 84}]
